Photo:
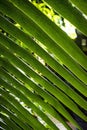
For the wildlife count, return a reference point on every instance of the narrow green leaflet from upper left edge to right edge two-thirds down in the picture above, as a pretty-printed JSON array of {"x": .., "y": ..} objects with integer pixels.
[{"x": 34, "y": 47}]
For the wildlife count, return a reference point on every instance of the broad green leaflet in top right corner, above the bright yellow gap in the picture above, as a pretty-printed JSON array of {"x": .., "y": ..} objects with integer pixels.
[{"x": 71, "y": 13}]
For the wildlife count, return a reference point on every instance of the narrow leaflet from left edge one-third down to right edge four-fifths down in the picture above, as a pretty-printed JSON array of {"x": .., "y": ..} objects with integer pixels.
[{"x": 38, "y": 66}]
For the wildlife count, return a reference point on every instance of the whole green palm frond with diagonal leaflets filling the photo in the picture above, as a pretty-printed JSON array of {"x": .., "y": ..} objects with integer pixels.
[{"x": 31, "y": 92}]
